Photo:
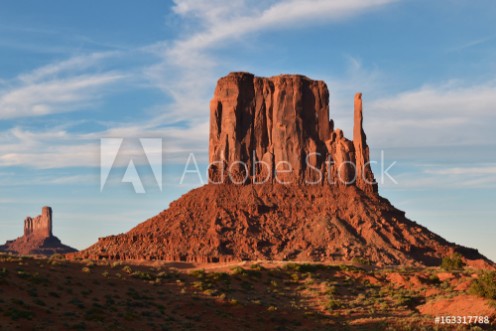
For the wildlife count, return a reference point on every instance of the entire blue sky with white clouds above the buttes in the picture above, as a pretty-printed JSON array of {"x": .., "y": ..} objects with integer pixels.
[{"x": 73, "y": 73}]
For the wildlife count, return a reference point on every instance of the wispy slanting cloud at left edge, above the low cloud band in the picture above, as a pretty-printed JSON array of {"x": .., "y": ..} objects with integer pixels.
[{"x": 61, "y": 86}]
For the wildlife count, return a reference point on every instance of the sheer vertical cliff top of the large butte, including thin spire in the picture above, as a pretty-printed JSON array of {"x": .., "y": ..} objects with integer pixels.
[{"x": 278, "y": 130}]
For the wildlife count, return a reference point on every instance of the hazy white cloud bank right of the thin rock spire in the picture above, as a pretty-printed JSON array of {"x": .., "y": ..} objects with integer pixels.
[{"x": 447, "y": 114}]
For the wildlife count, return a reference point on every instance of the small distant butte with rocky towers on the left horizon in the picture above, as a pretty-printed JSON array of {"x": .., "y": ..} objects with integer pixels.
[{"x": 38, "y": 238}]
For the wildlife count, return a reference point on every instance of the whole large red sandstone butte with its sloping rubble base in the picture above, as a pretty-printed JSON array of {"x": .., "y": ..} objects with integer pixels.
[{"x": 276, "y": 130}]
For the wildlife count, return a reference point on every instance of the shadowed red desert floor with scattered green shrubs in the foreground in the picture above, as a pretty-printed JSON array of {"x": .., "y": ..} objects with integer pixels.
[{"x": 55, "y": 294}]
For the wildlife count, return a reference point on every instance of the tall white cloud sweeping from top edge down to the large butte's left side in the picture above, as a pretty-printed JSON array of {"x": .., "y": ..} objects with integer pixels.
[{"x": 189, "y": 69}]
